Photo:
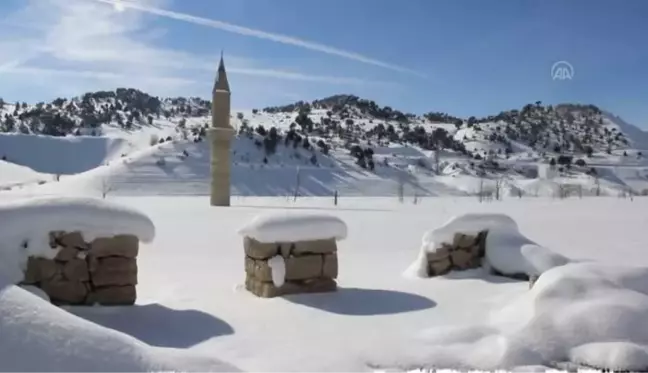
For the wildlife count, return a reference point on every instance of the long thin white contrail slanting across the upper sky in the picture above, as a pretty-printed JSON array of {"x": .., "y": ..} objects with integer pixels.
[{"x": 240, "y": 30}]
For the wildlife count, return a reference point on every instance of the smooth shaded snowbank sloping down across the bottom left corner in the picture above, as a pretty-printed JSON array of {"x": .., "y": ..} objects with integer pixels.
[{"x": 39, "y": 337}]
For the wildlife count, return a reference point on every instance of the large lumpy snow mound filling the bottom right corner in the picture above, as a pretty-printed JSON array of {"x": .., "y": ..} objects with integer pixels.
[{"x": 584, "y": 313}]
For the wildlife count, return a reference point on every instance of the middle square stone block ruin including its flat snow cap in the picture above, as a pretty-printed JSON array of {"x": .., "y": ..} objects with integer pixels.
[{"x": 291, "y": 253}]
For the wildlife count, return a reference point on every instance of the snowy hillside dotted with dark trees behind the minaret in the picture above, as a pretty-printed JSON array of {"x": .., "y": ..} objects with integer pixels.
[{"x": 141, "y": 145}]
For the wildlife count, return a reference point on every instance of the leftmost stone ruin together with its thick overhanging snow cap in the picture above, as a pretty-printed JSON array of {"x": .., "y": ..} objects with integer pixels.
[{"x": 77, "y": 251}]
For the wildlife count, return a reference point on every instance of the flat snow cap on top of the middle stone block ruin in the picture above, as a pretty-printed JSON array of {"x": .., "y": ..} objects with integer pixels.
[{"x": 292, "y": 227}]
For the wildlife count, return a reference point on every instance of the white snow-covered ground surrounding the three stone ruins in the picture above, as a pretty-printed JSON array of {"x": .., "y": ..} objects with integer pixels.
[{"x": 194, "y": 315}]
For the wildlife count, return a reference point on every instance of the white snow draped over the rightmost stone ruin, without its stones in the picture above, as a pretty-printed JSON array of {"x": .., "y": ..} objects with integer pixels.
[{"x": 507, "y": 250}]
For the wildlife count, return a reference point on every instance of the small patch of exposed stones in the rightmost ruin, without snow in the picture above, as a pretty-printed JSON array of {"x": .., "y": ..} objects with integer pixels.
[{"x": 464, "y": 252}]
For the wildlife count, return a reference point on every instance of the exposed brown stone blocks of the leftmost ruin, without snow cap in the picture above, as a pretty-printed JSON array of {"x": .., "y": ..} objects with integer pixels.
[{"x": 103, "y": 271}]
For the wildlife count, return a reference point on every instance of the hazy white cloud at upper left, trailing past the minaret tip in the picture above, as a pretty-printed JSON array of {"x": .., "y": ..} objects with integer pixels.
[{"x": 85, "y": 40}]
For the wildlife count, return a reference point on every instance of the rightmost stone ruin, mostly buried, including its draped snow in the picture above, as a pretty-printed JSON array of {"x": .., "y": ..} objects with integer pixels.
[{"x": 492, "y": 241}]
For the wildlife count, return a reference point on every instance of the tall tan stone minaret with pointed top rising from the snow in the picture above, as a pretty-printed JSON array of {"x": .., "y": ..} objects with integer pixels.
[{"x": 220, "y": 135}]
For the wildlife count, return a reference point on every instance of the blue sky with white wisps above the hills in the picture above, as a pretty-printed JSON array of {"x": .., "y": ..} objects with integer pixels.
[{"x": 464, "y": 57}]
